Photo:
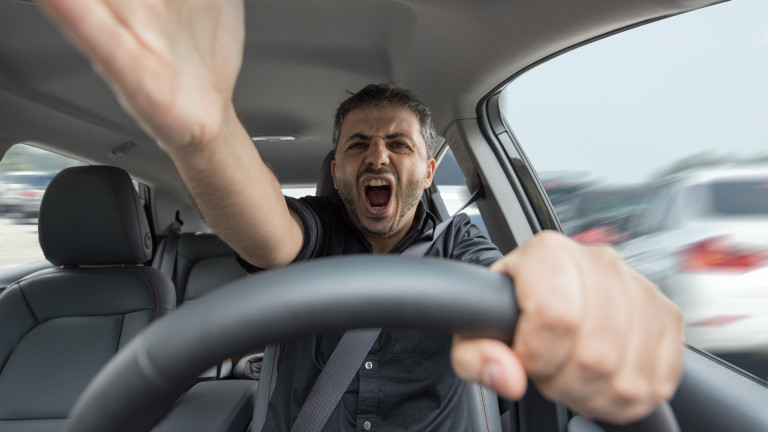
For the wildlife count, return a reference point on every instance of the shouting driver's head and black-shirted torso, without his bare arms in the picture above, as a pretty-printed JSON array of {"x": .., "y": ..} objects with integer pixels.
[{"x": 384, "y": 136}]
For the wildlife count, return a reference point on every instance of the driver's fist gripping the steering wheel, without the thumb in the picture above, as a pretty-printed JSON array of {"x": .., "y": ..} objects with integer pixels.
[{"x": 592, "y": 333}]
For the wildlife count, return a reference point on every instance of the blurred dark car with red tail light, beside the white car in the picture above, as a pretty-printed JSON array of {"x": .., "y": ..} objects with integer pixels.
[{"x": 601, "y": 214}]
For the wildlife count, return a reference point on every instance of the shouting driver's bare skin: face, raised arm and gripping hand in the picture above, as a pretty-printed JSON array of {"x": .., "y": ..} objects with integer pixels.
[{"x": 610, "y": 347}]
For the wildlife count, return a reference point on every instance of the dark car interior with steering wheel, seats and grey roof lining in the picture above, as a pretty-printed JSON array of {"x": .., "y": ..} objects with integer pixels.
[{"x": 139, "y": 311}]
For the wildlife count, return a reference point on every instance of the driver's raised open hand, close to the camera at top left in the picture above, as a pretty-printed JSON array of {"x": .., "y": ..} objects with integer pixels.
[{"x": 172, "y": 64}]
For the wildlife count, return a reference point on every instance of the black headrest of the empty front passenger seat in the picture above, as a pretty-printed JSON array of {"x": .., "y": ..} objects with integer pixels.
[{"x": 92, "y": 215}]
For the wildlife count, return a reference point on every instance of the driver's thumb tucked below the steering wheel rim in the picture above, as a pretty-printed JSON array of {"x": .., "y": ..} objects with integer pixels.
[{"x": 490, "y": 363}]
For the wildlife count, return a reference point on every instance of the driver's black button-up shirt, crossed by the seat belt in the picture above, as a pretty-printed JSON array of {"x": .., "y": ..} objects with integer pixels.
[{"x": 406, "y": 382}]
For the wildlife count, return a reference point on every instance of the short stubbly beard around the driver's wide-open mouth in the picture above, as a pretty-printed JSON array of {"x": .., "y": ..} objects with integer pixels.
[{"x": 408, "y": 198}]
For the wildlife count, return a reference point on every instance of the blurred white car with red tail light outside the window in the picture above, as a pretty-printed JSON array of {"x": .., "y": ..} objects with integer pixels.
[{"x": 702, "y": 237}]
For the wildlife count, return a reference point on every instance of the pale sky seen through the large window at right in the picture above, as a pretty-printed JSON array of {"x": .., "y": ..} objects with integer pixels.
[{"x": 625, "y": 107}]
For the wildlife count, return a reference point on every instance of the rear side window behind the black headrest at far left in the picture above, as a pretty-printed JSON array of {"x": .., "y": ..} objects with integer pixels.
[{"x": 25, "y": 172}]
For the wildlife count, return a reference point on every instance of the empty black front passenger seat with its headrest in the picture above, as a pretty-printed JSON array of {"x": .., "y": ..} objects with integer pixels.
[{"x": 61, "y": 325}]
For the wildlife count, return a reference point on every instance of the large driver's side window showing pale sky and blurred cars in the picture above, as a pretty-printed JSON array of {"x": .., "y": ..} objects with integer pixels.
[{"x": 674, "y": 112}]
